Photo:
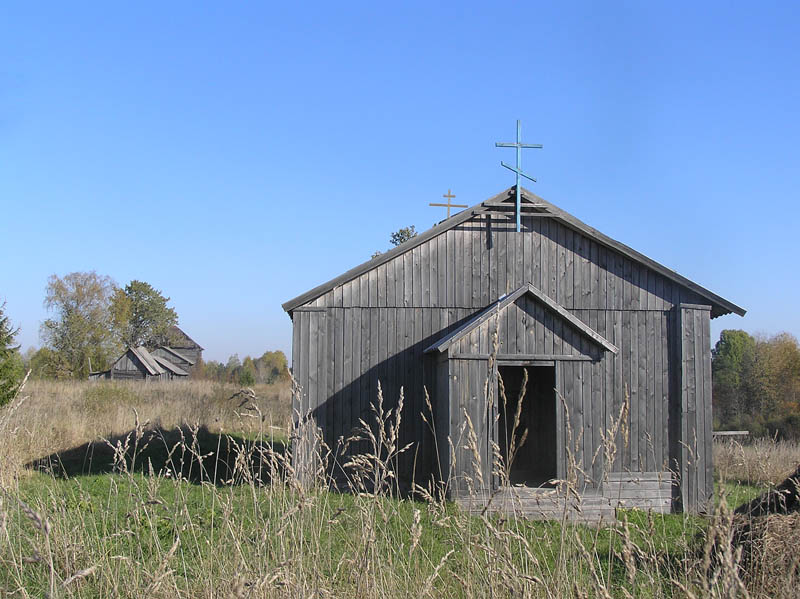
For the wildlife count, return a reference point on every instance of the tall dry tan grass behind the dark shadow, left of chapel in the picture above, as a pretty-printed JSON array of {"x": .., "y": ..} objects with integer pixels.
[{"x": 53, "y": 416}]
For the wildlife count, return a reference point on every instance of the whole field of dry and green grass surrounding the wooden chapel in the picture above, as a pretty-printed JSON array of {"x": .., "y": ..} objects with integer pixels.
[{"x": 186, "y": 493}]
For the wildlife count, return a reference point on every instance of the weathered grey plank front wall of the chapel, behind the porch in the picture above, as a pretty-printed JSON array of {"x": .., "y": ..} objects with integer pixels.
[{"x": 376, "y": 327}]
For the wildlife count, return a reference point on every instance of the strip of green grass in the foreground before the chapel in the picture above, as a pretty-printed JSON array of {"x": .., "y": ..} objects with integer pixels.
[{"x": 132, "y": 520}]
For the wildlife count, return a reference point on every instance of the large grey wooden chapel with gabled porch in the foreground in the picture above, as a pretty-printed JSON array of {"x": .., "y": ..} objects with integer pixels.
[{"x": 467, "y": 309}]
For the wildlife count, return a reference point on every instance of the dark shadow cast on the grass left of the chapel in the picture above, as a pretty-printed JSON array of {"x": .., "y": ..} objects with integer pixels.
[{"x": 196, "y": 454}]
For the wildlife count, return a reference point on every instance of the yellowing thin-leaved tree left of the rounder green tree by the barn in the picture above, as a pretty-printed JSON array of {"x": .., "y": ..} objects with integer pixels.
[{"x": 80, "y": 331}]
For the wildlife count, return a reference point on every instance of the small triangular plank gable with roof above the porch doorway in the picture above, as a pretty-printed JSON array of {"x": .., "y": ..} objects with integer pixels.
[{"x": 530, "y": 305}]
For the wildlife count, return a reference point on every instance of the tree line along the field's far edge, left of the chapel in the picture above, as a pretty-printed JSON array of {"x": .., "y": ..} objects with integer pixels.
[{"x": 92, "y": 320}]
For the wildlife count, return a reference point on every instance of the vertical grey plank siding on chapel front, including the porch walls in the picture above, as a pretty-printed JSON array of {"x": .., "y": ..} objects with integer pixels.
[{"x": 376, "y": 327}]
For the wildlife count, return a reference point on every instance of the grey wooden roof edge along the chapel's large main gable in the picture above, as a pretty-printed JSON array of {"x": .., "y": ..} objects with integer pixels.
[{"x": 503, "y": 203}]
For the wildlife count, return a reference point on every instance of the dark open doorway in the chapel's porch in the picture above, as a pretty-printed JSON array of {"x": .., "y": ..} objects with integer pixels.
[{"x": 534, "y": 460}]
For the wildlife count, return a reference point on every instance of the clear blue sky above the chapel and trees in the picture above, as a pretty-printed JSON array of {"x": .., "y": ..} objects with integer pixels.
[{"x": 235, "y": 156}]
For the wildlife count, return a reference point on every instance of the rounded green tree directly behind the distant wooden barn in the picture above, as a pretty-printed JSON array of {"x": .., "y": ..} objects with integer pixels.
[{"x": 141, "y": 315}]
